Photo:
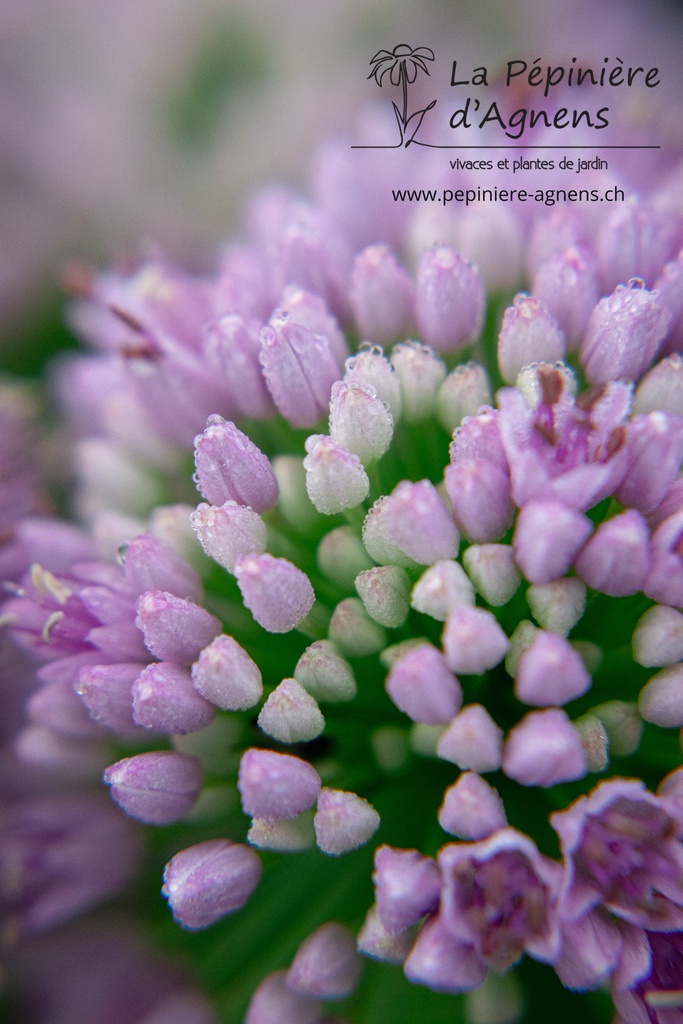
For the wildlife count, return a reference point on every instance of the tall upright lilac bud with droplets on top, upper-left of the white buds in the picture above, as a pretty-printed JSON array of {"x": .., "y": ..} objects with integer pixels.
[{"x": 300, "y": 369}]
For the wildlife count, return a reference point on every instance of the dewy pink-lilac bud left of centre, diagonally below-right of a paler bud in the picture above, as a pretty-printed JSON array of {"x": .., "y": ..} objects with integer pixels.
[{"x": 278, "y": 594}]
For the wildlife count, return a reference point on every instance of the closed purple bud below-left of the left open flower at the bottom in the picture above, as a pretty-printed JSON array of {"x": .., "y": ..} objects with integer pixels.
[{"x": 442, "y": 962}]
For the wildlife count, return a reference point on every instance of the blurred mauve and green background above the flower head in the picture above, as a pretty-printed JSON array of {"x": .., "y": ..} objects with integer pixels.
[{"x": 131, "y": 123}]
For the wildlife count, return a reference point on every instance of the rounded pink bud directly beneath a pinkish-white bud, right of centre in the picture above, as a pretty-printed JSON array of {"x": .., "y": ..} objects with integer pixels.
[{"x": 474, "y": 642}]
